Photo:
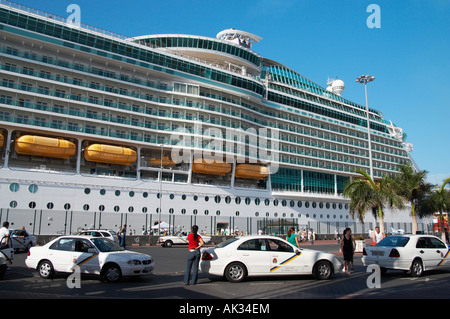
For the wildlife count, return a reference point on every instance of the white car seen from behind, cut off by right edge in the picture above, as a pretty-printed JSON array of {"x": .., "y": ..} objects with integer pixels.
[{"x": 414, "y": 253}]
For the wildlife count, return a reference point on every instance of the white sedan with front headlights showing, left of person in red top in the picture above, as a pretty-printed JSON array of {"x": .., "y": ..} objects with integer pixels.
[{"x": 94, "y": 255}]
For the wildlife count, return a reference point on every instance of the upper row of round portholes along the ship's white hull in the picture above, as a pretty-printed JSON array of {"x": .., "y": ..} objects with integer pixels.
[{"x": 14, "y": 187}]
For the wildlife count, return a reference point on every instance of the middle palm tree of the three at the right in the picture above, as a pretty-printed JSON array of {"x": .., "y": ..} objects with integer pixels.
[{"x": 411, "y": 186}]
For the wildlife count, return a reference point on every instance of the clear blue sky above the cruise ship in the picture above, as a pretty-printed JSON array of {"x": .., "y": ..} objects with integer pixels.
[{"x": 409, "y": 55}]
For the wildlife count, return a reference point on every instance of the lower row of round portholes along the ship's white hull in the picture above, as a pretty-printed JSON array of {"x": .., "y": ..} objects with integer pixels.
[{"x": 101, "y": 208}]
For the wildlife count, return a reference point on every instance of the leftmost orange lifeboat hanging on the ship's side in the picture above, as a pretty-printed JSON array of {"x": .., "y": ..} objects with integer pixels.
[{"x": 44, "y": 146}]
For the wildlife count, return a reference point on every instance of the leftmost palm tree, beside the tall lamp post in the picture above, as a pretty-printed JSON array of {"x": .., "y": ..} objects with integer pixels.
[{"x": 366, "y": 194}]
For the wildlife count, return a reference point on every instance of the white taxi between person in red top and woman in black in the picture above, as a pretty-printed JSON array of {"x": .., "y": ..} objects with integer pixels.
[{"x": 245, "y": 256}]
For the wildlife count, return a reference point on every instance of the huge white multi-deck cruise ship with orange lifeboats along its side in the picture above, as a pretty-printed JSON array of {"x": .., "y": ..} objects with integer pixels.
[{"x": 100, "y": 130}]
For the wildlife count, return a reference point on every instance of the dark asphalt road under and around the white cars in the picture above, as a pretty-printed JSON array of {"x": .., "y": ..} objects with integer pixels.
[{"x": 165, "y": 284}]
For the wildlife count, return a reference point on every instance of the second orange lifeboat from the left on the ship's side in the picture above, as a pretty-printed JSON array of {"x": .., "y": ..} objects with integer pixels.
[{"x": 110, "y": 154}]
